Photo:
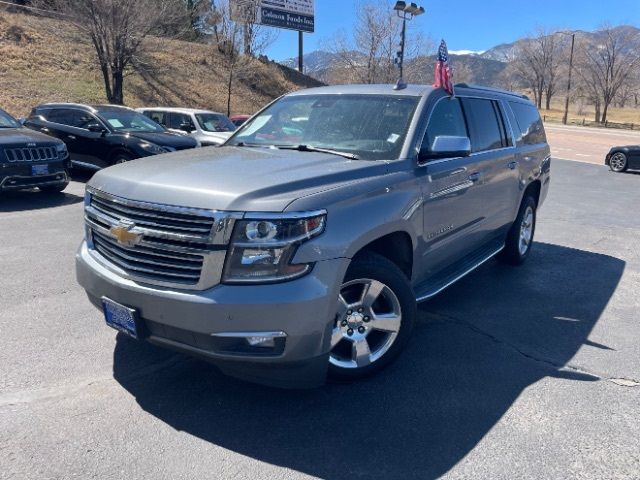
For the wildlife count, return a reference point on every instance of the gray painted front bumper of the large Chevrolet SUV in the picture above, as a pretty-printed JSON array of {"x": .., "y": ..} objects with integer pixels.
[{"x": 192, "y": 322}]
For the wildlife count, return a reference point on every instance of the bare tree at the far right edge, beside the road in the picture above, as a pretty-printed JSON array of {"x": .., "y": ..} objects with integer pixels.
[{"x": 607, "y": 64}]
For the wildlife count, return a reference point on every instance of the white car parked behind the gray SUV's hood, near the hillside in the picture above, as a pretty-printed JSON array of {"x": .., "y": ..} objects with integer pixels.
[{"x": 207, "y": 127}]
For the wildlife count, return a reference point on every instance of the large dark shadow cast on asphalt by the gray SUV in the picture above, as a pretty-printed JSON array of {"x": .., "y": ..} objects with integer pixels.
[{"x": 476, "y": 347}]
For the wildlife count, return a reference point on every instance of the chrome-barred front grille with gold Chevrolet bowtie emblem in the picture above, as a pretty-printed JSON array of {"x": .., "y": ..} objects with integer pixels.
[{"x": 171, "y": 246}]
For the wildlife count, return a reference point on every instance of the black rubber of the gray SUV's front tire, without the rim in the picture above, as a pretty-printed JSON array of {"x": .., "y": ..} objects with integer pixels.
[{"x": 376, "y": 267}]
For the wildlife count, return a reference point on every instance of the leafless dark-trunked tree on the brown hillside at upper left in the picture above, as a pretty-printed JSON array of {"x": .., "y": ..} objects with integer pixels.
[{"x": 118, "y": 29}]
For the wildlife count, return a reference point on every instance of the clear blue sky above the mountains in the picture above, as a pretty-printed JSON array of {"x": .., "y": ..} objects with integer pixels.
[{"x": 471, "y": 24}]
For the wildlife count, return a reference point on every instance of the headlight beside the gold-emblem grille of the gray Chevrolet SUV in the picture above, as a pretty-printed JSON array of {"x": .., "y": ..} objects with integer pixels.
[{"x": 261, "y": 250}]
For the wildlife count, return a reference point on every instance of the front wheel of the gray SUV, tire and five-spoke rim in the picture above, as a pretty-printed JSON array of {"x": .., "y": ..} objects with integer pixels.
[{"x": 362, "y": 344}]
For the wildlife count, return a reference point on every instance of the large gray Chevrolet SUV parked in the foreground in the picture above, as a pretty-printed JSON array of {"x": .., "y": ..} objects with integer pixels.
[{"x": 301, "y": 247}]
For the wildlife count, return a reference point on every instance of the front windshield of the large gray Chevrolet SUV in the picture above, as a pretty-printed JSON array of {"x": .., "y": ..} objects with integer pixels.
[{"x": 373, "y": 127}]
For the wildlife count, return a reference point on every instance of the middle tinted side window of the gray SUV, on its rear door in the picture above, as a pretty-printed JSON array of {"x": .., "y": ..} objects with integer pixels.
[{"x": 485, "y": 124}]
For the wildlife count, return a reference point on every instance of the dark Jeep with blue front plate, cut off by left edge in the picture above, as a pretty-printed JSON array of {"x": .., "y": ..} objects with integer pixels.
[{"x": 30, "y": 159}]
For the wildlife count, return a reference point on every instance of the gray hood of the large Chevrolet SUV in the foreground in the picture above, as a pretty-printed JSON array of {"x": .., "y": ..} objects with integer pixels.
[{"x": 232, "y": 178}]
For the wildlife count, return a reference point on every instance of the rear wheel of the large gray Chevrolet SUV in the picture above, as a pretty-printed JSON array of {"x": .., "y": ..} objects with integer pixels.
[{"x": 520, "y": 237}]
